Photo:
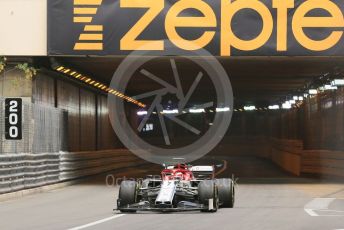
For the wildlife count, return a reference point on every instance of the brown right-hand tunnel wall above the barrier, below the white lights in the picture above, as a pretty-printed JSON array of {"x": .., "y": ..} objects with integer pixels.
[{"x": 319, "y": 122}]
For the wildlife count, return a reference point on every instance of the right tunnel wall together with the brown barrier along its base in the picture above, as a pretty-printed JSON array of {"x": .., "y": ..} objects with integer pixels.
[{"x": 309, "y": 139}]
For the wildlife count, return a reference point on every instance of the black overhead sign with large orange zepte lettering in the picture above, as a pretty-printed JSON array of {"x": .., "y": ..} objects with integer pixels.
[{"x": 223, "y": 27}]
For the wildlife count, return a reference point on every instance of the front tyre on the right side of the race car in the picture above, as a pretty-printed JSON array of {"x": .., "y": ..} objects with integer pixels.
[{"x": 207, "y": 189}]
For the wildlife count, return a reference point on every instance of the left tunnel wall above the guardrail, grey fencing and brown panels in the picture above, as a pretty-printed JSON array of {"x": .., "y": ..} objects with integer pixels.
[{"x": 76, "y": 115}]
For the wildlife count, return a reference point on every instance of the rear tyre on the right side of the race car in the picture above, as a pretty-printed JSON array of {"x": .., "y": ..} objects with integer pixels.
[{"x": 226, "y": 192}]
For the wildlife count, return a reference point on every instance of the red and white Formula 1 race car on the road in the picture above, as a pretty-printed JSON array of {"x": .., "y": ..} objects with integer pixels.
[{"x": 180, "y": 188}]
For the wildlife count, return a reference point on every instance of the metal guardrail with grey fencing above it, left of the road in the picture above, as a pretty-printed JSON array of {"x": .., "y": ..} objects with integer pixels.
[{"x": 36, "y": 159}]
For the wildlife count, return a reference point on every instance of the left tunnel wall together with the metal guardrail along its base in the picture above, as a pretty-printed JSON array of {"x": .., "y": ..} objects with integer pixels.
[{"x": 66, "y": 134}]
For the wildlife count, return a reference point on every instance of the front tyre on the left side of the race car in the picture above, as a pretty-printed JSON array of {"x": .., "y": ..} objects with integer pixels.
[{"x": 127, "y": 194}]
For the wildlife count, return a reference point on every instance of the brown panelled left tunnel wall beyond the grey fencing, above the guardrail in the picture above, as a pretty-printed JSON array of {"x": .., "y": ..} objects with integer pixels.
[{"x": 88, "y": 124}]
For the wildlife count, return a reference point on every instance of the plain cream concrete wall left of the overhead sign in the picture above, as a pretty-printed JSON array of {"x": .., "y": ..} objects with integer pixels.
[{"x": 23, "y": 27}]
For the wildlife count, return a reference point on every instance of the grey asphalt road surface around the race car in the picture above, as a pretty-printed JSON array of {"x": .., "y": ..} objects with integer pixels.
[{"x": 267, "y": 198}]
